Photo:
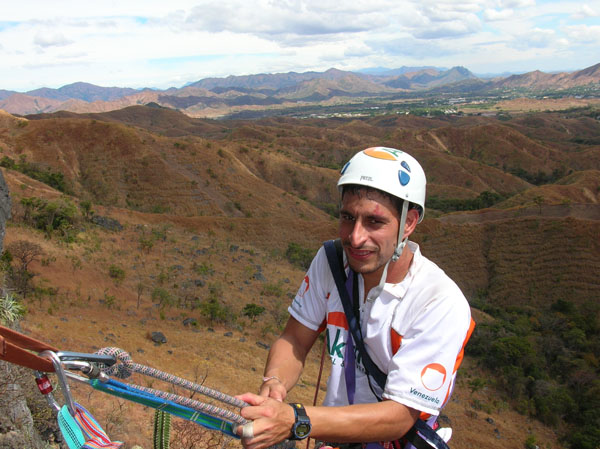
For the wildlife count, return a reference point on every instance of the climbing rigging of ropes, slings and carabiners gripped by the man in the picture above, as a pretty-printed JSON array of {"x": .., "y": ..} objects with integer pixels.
[{"x": 76, "y": 422}]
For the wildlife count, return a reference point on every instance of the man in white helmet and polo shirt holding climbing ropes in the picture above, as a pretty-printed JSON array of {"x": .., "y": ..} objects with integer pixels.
[{"x": 414, "y": 320}]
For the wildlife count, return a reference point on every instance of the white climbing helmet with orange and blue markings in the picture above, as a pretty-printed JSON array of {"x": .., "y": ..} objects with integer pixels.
[{"x": 390, "y": 170}]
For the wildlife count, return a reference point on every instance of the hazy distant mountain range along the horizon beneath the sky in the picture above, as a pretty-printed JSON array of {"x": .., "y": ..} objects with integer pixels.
[{"x": 217, "y": 97}]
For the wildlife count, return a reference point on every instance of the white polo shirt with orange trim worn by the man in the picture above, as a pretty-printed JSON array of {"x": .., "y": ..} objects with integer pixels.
[{"x": 426, "y": 315}]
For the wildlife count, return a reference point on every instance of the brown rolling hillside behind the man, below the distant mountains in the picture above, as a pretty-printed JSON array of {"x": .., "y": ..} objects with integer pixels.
[{"x": 209, "y": 209}]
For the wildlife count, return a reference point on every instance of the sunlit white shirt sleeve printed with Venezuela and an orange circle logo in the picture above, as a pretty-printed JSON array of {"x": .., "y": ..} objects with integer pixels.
[{"x": 421, "y": 373}]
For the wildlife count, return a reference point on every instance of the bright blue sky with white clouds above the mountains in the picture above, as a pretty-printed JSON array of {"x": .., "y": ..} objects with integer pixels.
[{"x": 149, "y": 43}]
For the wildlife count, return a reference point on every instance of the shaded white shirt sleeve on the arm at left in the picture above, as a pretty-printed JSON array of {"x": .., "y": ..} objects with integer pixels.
[{"x": 309, "y": 306}]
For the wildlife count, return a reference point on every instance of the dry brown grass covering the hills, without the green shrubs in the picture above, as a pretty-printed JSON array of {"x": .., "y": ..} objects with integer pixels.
[{"x": 265, "y": 168}]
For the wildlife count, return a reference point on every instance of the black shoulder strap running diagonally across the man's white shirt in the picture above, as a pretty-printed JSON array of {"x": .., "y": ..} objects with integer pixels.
[{"x": 421, "y": 436}]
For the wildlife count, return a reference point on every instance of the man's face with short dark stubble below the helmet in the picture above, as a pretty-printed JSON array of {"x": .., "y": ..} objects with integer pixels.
[{"x": 368, "y": 229}]
